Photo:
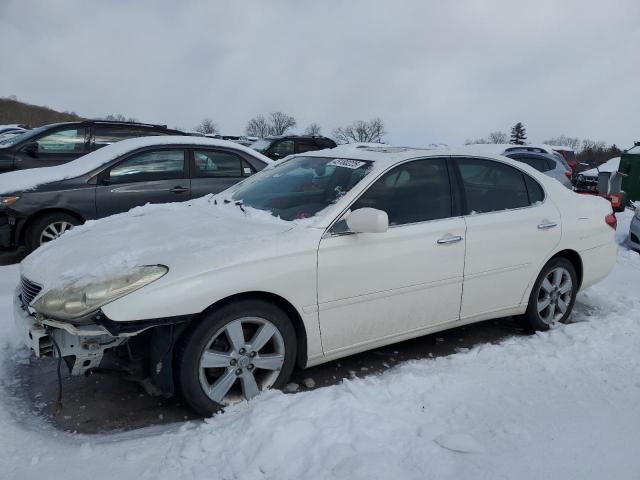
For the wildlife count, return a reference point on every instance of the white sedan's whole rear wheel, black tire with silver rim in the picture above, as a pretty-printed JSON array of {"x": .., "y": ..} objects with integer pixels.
[{"x": 551, "y": 287}]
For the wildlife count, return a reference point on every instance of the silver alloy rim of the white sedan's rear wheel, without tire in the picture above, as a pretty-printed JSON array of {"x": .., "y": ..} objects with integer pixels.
[{"x": 554, "y": 296}]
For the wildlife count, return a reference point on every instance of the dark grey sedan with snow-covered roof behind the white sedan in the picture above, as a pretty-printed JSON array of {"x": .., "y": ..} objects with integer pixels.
[{"x": 119, "y": 177}]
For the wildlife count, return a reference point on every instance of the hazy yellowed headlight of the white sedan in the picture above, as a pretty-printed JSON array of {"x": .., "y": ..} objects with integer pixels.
[{"x": 76, "y": 301}]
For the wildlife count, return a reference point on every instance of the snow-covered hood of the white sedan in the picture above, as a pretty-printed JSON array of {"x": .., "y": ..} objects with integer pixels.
[{"x": 189, "y": 238}]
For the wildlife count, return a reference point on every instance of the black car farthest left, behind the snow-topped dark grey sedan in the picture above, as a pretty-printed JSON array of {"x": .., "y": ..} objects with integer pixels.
[{"x": 59, "y": 143}]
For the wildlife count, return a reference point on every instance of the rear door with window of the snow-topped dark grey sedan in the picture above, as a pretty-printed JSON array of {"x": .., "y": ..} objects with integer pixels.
[{"x": 216, "y": 170}]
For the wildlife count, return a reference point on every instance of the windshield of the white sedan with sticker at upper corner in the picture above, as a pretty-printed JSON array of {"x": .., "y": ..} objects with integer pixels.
[{"x": 302, "y": 186}]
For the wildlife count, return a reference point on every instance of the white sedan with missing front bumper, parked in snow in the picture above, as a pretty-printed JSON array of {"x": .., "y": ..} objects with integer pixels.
[{"x": 310, "y": 260}]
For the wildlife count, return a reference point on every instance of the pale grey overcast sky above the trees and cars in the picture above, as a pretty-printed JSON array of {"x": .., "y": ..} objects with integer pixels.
[{"x": 434, "y": 71}]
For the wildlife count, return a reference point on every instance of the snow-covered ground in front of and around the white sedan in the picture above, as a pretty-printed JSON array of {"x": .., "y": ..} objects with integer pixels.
[{"x": 563, "y": 404}]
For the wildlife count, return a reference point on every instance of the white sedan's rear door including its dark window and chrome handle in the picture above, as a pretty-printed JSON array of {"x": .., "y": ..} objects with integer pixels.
[{"x": 511, "y": 230}]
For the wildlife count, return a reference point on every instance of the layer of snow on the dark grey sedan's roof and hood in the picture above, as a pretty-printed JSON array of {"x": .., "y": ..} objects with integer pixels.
[{"x": 29, "y": 179}]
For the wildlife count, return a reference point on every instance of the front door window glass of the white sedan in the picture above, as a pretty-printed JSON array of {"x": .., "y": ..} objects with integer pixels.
[{"x": 412, "y": 192}]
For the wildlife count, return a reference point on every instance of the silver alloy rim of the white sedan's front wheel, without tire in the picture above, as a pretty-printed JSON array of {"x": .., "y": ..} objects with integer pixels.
[{"x": 233, "y": 368}]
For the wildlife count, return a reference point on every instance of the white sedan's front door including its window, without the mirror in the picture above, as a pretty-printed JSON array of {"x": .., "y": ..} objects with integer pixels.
[{"x": 377, "y": 287}]
